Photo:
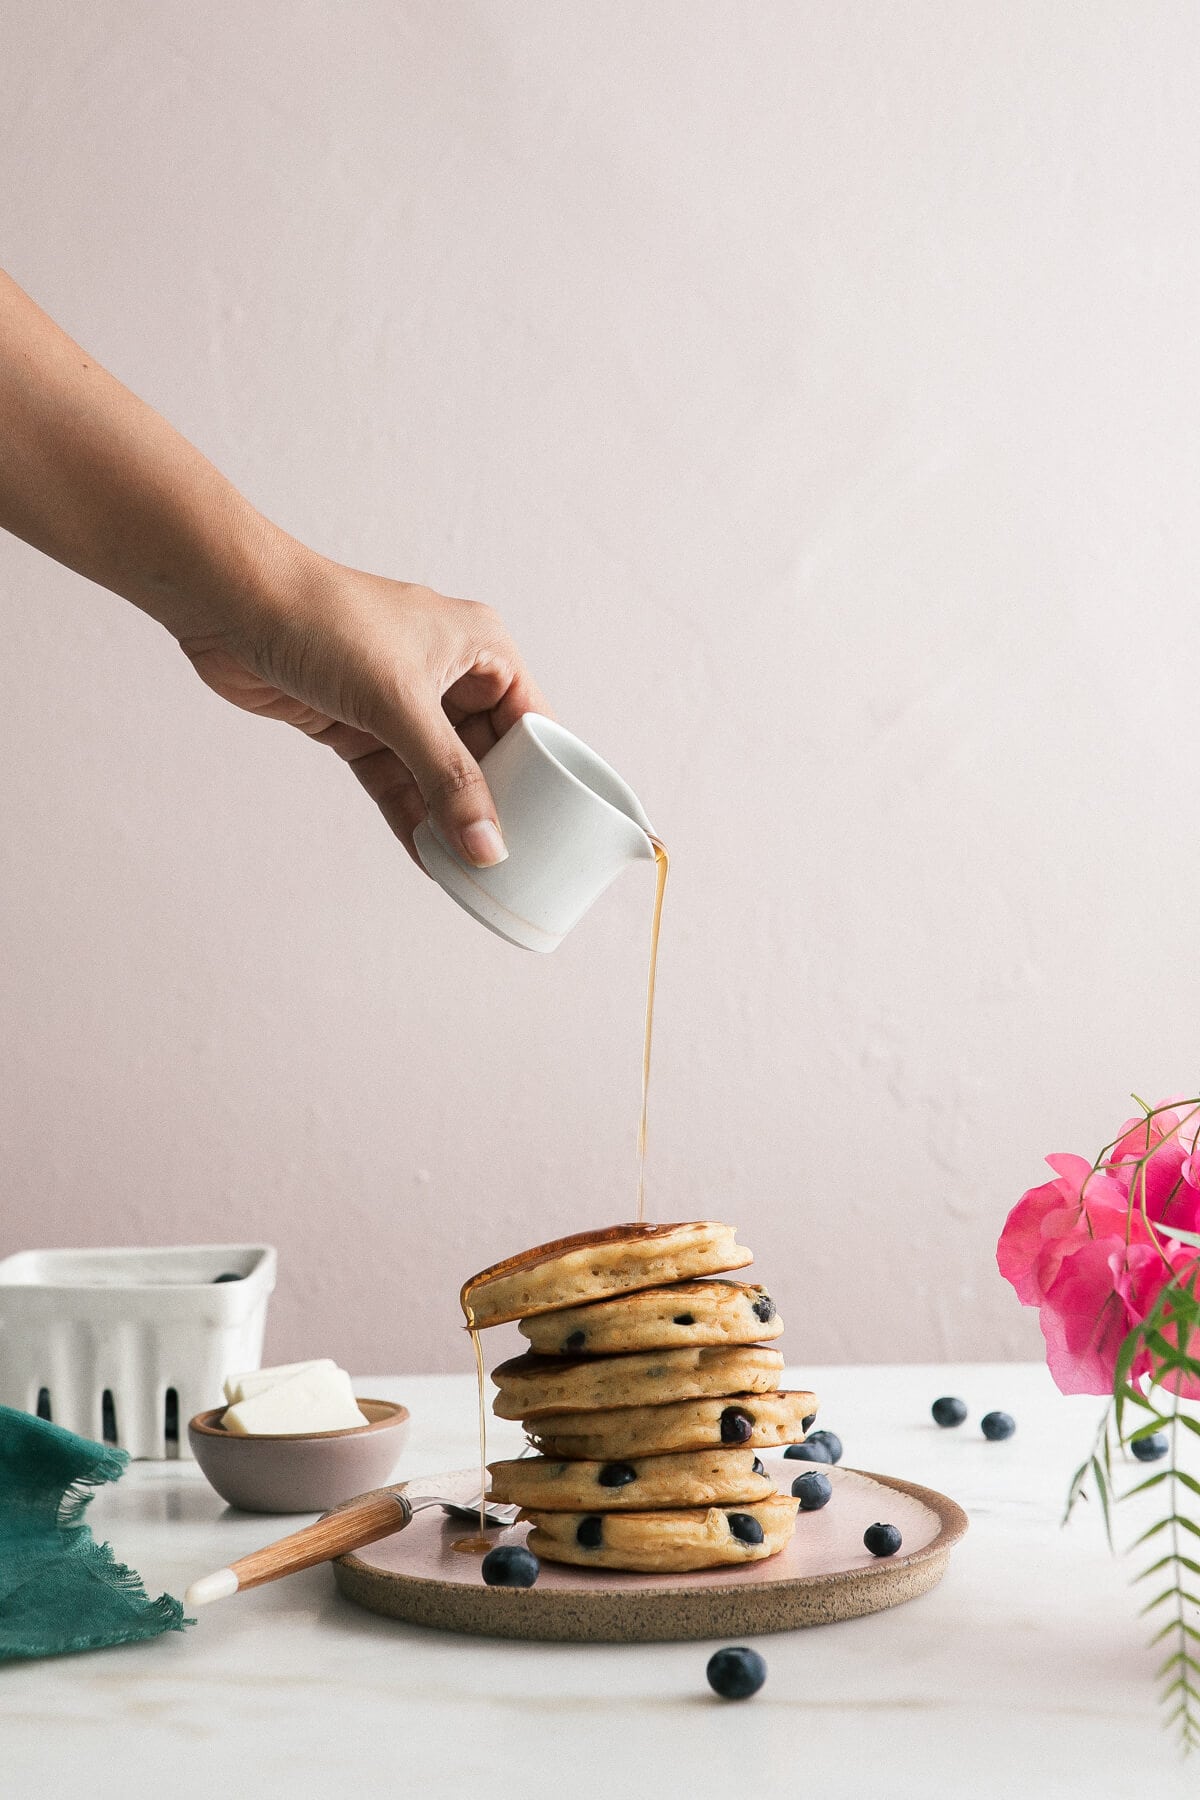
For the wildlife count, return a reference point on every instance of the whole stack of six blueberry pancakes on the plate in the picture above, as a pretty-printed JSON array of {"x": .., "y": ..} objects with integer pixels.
[{"x": 649, "y": 1390}]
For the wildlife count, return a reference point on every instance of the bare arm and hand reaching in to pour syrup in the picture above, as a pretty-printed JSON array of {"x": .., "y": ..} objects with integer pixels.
[{"x": 407, "y": 687}]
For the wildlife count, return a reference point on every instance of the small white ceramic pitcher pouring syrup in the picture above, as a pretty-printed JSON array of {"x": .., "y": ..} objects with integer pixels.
[{"x": 569, "y": 823}]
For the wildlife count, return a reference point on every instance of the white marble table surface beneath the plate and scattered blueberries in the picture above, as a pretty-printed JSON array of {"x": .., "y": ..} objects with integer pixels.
[{"x": 1023, "y": 1675}]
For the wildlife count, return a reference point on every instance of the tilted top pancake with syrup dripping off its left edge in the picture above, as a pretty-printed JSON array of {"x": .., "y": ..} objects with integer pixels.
[{"x": 596, "y": 1266}]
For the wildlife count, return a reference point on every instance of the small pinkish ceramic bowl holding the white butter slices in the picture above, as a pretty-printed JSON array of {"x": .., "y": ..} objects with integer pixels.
[{"x": 307, "y": 1471}]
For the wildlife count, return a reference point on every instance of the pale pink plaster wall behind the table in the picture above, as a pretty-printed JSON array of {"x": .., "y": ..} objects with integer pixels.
[{"x": 816, "y": 391}]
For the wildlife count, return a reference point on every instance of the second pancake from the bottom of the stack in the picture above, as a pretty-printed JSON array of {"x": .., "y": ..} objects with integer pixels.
[{"x": 690, "y": 1479}]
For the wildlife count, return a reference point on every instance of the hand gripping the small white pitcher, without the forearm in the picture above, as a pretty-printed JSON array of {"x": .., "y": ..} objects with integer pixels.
[{"x": 409, "y": 687}]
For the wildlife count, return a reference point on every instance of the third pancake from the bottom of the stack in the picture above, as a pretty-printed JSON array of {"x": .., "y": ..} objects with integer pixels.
[{"x": 751, "y": 1421}]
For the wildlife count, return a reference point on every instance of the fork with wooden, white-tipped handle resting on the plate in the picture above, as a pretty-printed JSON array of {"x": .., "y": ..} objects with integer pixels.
[{"x": 348, "y": 1527}]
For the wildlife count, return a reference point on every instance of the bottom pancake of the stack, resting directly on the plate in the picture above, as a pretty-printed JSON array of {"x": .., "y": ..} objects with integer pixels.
[{"x": 665, "y": 1542}]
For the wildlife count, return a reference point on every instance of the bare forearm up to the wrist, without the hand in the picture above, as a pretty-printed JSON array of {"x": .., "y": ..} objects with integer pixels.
[{"x": 96, "y": 480}]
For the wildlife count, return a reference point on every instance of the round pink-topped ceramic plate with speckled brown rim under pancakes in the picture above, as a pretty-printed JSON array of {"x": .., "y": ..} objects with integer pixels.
[{"x": 823, "y": 1576}]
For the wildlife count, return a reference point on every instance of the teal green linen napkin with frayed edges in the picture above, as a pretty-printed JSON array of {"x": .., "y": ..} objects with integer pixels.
[{"x": 58, "y": 1588}]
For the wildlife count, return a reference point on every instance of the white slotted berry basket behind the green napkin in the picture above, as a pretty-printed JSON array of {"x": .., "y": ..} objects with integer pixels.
[{"x": 127, "y": 1345}]
